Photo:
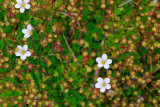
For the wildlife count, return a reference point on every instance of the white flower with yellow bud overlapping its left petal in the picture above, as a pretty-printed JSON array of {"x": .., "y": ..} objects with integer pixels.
[{"x": 22, "y": 52}]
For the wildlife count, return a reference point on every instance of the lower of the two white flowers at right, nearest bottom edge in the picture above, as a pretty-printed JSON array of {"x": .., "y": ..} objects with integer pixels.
[{"x": 103, "y": 84}]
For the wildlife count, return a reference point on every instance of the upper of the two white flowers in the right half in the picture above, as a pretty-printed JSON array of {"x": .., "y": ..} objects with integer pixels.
[{"x": 103, "y": 62}]
